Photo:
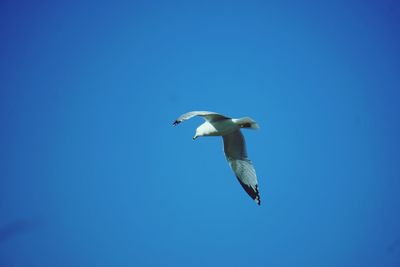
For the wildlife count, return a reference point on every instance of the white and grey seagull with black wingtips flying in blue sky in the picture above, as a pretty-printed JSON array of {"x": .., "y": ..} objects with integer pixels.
[{"x": 234, "y": 145}]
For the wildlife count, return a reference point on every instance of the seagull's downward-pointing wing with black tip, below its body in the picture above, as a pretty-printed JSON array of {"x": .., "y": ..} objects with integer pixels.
[{"x": 235, "y": 152}]
